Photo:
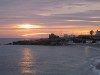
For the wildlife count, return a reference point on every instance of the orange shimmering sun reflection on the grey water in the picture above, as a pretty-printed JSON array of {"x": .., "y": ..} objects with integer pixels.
[{"x": 27, "y": 62}]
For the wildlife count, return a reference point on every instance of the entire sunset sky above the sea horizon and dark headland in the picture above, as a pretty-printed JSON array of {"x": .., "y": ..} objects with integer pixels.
[{"x": 38, "y": 18}]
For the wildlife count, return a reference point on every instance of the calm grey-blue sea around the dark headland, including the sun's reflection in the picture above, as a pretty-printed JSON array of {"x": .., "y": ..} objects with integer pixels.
[{"x": 47, "y": 60}]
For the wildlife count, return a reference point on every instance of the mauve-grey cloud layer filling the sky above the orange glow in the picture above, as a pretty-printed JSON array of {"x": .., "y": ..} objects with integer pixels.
[{"x": 48, "y": 12}]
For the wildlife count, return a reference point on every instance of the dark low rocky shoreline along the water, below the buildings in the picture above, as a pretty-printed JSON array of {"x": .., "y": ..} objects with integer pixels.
[{"x": 47, "y": 41}]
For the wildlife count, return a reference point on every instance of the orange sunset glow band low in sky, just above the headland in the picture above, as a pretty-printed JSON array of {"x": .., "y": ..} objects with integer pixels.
[{"x": 44, "y": 31}]
